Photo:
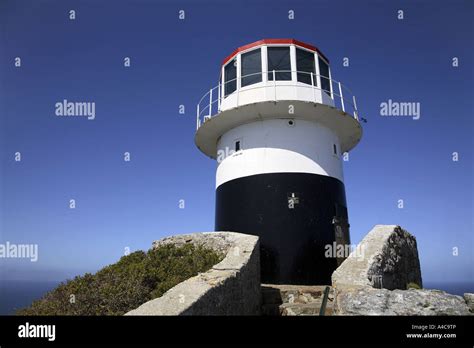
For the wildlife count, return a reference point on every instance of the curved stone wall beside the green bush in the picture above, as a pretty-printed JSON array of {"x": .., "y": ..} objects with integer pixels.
[{"x": 232, "y": 287}]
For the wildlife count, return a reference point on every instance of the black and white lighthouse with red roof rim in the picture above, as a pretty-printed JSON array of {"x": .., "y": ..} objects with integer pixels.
[{"x": 278, "y": 126}]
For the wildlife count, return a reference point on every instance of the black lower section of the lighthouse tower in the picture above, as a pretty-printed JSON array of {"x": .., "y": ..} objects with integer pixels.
[{"x": 299, "y": 218}]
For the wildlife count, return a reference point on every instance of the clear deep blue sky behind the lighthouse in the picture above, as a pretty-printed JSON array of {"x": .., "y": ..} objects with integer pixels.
[{"x": 174, "y": 62}]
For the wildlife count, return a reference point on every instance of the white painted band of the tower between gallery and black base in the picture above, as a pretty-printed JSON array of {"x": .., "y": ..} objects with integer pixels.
[{"x": 275, "y": 146}]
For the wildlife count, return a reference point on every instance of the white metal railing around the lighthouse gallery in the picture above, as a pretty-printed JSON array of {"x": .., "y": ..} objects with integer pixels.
[{"x": 341, "y": 96}]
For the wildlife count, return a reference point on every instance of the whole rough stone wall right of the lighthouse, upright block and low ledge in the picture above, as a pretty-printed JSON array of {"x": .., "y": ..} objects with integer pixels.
[{"x": 375, "y": 281}]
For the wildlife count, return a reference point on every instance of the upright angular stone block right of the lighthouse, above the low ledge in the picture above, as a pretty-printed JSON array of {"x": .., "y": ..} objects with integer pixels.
[{"x": 388, "y": 259}]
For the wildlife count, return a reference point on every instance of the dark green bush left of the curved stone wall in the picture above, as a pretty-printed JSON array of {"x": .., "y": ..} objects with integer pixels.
[{"x": 125, "y": 285}]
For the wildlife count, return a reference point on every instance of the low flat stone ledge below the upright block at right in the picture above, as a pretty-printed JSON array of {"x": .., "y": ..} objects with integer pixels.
[{"x": 370, "y": 301}]
